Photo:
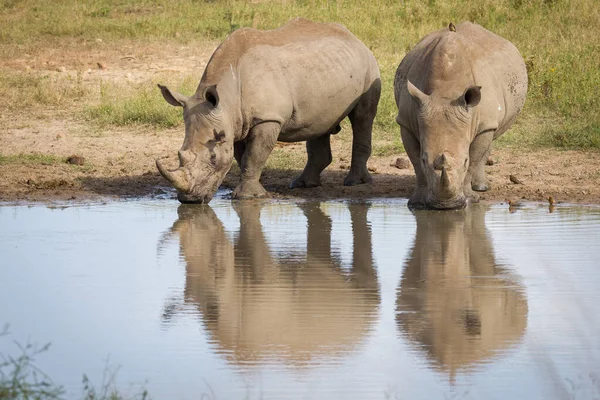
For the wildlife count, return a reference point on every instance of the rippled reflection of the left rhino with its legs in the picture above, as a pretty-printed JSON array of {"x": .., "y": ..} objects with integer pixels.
[{"x": 293, "y": 307}]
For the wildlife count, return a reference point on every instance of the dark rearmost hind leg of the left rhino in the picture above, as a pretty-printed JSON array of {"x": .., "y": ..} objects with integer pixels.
[{"x": 361, "y": 117}]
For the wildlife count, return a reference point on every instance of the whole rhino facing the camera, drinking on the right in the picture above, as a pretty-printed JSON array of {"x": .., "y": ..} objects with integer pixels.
[{"x": 456, "y": 92}]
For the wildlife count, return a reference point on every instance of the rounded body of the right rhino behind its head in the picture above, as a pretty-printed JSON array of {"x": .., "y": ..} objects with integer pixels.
[{"x": 481, "y": 58}]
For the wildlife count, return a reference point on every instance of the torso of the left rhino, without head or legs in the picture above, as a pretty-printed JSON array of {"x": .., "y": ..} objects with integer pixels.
[{"x": 293, "y": 73}]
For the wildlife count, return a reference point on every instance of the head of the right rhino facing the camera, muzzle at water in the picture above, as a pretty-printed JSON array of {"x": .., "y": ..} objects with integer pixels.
[{"x": 446, "y": 130}]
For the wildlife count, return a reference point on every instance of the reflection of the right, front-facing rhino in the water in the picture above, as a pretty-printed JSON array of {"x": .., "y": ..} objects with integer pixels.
[{"x": 453, "y": 299}]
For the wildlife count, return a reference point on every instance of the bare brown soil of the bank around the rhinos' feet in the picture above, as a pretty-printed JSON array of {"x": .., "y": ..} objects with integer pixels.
[{"x": 119, "y": 162}]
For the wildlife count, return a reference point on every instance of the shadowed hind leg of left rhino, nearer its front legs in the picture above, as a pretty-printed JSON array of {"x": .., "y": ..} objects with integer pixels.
[{"x": 319, "y": 157}]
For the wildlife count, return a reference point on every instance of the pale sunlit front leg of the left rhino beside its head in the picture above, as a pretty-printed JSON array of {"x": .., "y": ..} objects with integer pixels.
[{"x": 259, "y": 144}]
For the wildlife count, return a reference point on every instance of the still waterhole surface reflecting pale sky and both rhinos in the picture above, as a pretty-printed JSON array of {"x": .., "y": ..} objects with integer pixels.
[{"x": 332, "y": 300}]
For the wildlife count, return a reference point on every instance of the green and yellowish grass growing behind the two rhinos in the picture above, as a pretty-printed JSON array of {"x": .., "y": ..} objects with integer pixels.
[{"x": 559, "y": 39}]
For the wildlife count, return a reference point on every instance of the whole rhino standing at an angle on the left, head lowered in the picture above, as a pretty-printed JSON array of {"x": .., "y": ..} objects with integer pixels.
[{"x": 295, "y": 83}]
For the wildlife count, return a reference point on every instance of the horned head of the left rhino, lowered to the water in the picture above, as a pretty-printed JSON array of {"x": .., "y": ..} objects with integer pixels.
[{"x": 207, "y": 151}]
